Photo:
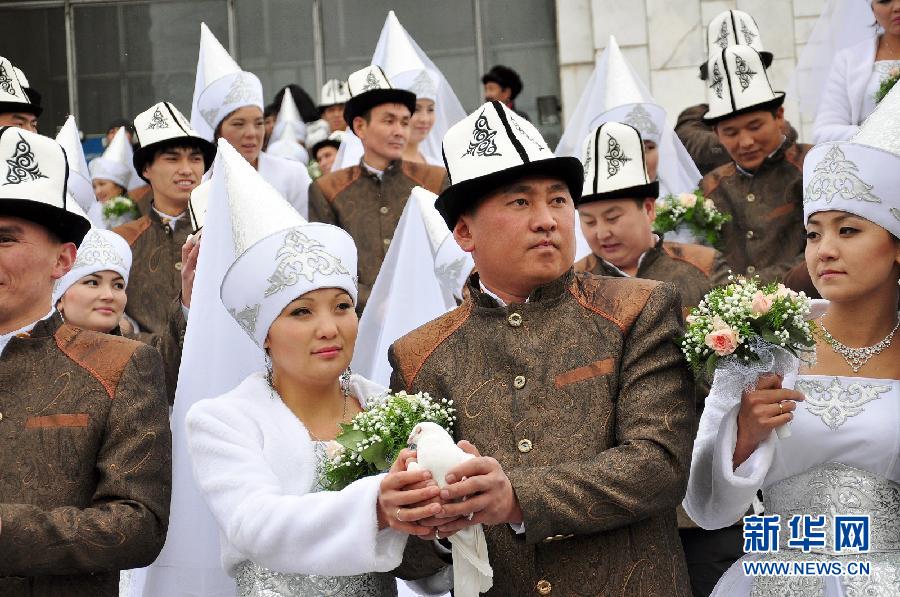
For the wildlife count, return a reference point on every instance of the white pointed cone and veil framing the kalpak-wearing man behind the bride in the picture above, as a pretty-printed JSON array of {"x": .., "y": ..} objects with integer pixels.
[{"x": 397, "y": 53}]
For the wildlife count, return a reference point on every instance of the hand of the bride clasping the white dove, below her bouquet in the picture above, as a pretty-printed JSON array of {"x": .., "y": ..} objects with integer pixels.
[{"x": 400, "y": 496}]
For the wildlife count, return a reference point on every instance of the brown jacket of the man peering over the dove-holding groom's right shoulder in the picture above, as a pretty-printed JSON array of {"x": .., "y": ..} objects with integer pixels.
[{"x": 693, "y": 269}]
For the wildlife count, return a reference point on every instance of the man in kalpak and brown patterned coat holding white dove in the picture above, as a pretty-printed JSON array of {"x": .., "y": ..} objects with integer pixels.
[{"x": 570, "y": 385}]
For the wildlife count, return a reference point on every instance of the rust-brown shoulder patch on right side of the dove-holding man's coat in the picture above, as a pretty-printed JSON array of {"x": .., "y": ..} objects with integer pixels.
[{"x": 620, "y": 300}]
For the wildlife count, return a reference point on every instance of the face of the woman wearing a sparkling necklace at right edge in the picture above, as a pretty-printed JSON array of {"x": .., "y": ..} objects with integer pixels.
[{"x": 849, "y": 257}]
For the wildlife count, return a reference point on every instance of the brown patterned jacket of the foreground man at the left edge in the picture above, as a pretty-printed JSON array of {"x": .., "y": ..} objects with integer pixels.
[{"x": 85, "y": 464}]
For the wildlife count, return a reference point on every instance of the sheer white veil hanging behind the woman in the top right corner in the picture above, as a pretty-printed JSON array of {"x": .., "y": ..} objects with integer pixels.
[{"x": 841, "y": 24}]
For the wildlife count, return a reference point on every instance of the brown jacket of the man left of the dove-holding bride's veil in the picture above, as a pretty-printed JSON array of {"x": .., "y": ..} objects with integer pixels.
[{"x": 155, "y": 278}]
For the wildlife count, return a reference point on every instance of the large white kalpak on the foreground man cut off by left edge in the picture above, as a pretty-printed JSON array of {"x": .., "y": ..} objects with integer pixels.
[{"x": 34, "y": 175}]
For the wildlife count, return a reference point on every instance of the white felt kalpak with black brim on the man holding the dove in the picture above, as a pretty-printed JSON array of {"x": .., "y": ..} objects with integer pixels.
[{"x": 494, "y": 146}]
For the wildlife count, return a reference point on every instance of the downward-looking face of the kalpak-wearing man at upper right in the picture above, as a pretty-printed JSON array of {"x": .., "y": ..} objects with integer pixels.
[{"x": 750, "y": 138}]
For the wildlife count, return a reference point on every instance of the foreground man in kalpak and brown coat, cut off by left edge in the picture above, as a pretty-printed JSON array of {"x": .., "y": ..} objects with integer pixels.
[{"x": 85, "y": 446}]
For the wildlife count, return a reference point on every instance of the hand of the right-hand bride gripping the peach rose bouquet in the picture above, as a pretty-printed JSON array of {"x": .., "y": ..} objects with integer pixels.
[{"x": 762, "y": 410}]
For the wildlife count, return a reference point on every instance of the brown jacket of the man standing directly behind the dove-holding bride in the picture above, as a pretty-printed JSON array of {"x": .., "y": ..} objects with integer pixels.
[{"x": 369, "y": 209}]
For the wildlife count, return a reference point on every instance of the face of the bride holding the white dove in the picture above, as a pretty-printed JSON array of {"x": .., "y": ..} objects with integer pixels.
[{"x": 312, "y": 339}]
